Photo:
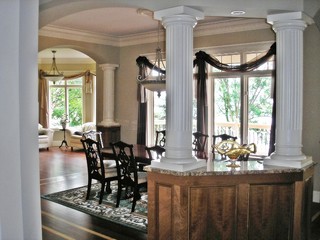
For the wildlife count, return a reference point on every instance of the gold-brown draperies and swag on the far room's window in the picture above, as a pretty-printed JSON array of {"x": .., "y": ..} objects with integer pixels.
[{"x": 43, "y": 93}]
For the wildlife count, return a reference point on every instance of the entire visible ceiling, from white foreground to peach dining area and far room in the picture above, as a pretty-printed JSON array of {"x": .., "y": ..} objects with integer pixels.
[{"x": 120, "y": 18}]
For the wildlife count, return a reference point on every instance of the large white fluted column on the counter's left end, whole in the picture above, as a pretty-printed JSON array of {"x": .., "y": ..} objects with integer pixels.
[{"x": 179, "y": 23}]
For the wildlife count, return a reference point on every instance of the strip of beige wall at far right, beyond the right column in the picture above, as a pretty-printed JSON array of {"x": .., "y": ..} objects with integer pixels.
[{"x": 311, "y": 99}]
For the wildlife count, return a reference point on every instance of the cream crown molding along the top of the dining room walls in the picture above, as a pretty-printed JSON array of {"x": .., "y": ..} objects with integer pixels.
[{"x": 205, "y": 29}]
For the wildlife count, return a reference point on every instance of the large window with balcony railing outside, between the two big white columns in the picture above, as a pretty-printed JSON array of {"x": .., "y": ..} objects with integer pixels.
[{"x": 241, "y": 103}]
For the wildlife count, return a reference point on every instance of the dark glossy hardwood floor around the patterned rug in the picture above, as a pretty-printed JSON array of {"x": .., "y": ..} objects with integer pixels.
[{"x": 61, "y": 169}]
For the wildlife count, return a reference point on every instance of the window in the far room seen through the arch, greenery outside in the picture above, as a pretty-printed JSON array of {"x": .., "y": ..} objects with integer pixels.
[{"x": 66, "y": 98}]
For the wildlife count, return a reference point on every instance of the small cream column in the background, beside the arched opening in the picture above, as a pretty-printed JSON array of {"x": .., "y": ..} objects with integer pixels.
[{"x": 108, "y": 95}]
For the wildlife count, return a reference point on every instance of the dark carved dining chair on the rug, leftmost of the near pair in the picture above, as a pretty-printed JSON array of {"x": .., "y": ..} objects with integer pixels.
[{"x": 101, "y": 170}]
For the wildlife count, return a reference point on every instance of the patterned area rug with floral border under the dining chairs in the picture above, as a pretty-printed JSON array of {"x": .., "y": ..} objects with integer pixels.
[{"x": 76, "y": 199}]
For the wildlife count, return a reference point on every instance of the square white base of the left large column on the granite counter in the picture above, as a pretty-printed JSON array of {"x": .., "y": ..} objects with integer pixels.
[{"x": 180, "y": 167}]
